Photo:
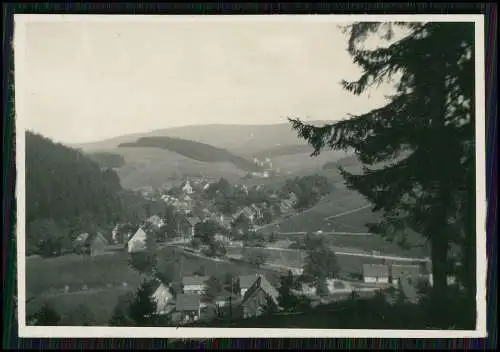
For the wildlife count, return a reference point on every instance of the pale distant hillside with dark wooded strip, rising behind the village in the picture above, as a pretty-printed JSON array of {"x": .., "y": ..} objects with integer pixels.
[{"x": 214, "y": 151}]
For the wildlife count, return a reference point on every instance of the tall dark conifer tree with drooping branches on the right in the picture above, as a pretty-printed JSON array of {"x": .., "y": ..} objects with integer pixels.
[{"x": 418, "y": 149}]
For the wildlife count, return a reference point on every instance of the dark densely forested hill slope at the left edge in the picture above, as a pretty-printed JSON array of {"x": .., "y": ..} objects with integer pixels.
[{"x": 66, "y": 192}]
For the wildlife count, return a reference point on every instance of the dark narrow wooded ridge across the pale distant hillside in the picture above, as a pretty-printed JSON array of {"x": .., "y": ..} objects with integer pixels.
[{"x": 194, "y": 150}]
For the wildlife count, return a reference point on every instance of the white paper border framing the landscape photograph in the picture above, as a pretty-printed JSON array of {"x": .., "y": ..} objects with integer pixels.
[{"x": 21, "y": 81}]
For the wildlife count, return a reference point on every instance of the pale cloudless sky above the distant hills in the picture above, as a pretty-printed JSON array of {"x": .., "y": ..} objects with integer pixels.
[{"x": 88, "y": 81}]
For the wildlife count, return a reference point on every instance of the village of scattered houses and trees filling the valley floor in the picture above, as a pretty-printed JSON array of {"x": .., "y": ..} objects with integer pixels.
[{"x": 219, "y": 237}]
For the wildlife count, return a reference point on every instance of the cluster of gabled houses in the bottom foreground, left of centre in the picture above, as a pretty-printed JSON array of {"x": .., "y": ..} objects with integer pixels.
[{"x": 187, "y": 302}]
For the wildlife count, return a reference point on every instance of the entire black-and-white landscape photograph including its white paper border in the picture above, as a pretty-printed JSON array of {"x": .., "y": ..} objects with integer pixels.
[{"x": 250, "y": 176}]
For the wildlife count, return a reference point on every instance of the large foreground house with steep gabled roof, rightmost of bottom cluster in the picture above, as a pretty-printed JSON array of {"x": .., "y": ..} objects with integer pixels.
[{"x": 258, "y": 297}]
